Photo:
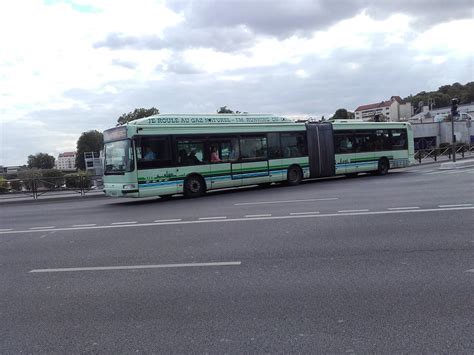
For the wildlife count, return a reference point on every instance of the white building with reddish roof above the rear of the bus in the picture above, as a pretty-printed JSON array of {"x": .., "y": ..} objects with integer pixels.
[{"x": 392, "y": 110}]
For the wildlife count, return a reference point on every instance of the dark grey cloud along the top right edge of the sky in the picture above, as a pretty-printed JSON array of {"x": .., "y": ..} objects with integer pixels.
[{"x": 283, "y": 18}]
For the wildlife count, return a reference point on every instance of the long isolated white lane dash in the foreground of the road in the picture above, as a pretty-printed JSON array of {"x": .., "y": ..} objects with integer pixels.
[{"x": 134, "y": 267}]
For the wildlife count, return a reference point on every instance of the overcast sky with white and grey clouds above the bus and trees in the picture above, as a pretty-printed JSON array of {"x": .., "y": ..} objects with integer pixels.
[{"x": 76, "y": 65}]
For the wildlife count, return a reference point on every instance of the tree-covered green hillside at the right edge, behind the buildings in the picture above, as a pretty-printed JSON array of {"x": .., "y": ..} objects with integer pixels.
[{"x": 442, "y": 97}]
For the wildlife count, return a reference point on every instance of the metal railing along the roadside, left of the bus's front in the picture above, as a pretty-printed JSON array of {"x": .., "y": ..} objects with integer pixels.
[{"x": 36, "y": 187}]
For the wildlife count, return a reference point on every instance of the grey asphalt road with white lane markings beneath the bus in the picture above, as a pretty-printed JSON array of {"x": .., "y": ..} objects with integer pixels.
[{"x": 369, "y": 264}]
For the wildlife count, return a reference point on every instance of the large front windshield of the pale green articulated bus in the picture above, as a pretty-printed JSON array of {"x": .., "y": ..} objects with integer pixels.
[{"x": 118, "y": 157}]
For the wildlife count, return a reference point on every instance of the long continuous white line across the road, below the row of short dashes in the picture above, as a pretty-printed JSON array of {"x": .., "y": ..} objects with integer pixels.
[{"x": 251, "y": 219}]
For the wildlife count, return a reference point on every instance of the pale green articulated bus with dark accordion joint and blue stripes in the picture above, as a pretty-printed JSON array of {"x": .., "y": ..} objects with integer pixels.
[{"x": 163, "y": 155}]
